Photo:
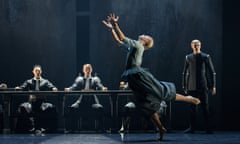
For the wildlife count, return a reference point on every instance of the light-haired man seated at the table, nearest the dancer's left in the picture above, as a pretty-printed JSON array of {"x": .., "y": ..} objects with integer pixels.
[{"x": 86, "y": 82}]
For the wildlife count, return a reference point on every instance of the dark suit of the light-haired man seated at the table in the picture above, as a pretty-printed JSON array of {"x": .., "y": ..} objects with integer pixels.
[{"x": 89, "y": 103}]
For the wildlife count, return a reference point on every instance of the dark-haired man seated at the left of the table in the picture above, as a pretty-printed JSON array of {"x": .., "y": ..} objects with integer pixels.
[{"x": 36, "y": 115}]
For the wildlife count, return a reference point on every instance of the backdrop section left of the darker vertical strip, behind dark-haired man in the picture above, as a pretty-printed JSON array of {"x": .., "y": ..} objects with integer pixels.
[{"x": 37, "y": 32}]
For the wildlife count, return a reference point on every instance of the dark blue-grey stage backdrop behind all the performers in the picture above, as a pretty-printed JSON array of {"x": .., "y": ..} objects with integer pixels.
[{"x": 61, "y": 35}]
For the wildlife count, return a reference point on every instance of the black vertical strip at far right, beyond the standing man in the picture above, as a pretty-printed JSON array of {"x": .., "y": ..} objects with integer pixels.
[{"x": 231, "y": 71}]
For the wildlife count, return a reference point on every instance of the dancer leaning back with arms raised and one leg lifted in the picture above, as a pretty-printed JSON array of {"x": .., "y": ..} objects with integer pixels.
[{"x": 148, "y": 91}]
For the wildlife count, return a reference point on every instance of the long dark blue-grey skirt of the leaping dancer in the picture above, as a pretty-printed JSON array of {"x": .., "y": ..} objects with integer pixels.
[{"x": 148, "y": 92}]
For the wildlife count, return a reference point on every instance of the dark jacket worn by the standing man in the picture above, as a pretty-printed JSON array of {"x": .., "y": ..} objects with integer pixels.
[{"x": 198, "y": 72}]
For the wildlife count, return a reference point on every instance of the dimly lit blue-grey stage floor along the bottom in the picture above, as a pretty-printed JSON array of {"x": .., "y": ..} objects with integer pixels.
[{"x": 220, "y": 137}]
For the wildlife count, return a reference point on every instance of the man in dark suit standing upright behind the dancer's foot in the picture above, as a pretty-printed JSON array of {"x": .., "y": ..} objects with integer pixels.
[{"x": 198, "y": 77}]
